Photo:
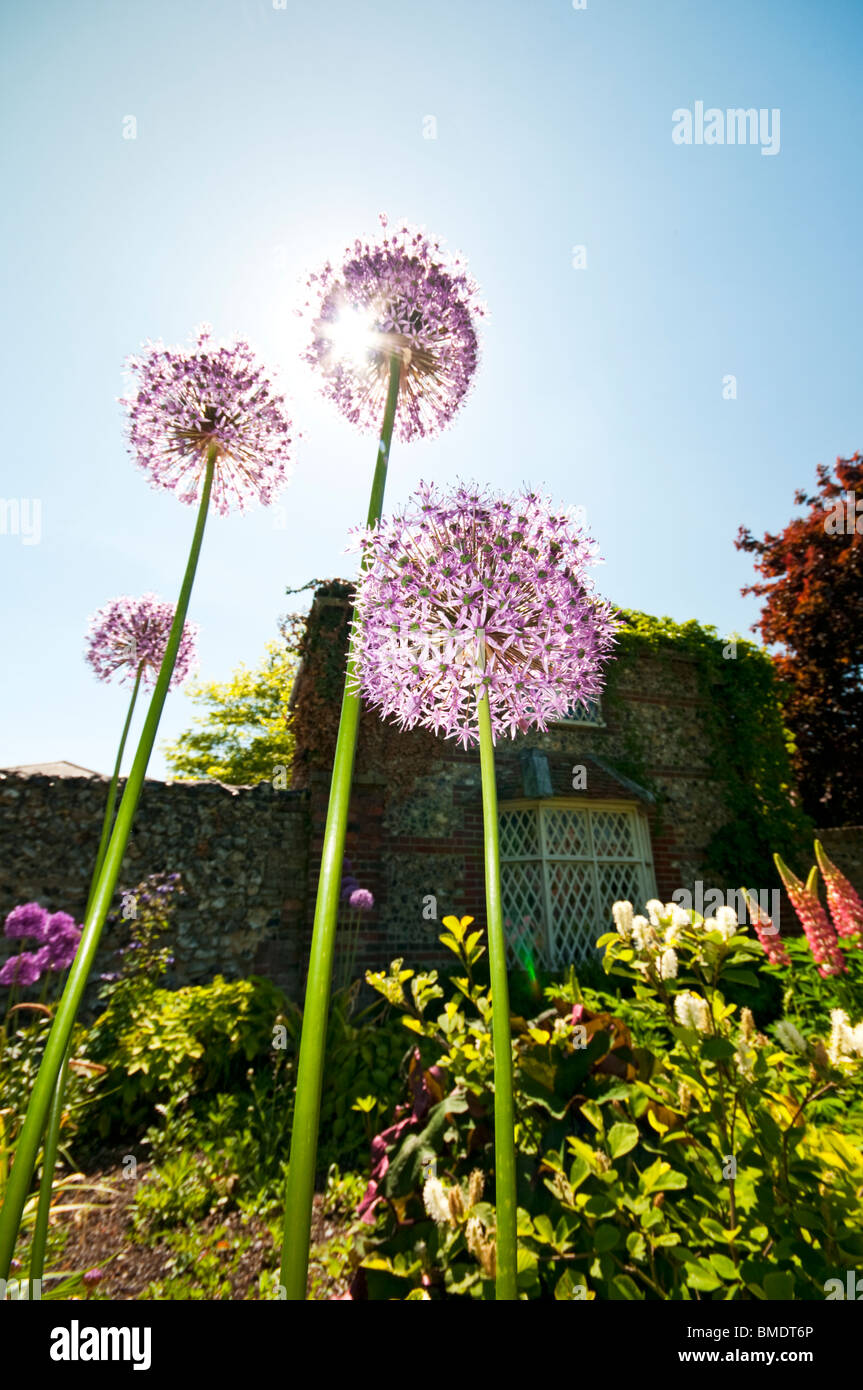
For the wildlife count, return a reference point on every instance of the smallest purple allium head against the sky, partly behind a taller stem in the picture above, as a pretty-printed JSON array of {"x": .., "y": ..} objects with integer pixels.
[{"x": 130, "y": 633}]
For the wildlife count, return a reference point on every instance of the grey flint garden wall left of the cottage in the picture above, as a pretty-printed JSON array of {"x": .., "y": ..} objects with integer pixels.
[{"x": 241, "y": 853}]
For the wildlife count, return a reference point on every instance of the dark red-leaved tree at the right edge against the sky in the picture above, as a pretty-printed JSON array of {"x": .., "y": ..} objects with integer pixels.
[{"x": 814, "y": 614}]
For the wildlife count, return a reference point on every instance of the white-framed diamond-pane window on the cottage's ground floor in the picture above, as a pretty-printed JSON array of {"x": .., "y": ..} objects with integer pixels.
[{"x": 562, "y": 867}]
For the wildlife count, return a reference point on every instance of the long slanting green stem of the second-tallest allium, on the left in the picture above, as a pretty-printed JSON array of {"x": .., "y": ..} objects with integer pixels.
[{"x": 27, "y": 1147}]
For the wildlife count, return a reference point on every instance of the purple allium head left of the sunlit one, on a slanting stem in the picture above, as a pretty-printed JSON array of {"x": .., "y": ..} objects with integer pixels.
[{"x": 188, "y": 401}]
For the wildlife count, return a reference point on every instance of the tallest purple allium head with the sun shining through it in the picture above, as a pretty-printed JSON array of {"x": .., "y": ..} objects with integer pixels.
[{"x": 397, "y": 294}]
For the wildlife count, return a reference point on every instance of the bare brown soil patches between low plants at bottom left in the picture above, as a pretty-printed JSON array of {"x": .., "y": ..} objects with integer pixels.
[{"x": 102, "y": 1238}]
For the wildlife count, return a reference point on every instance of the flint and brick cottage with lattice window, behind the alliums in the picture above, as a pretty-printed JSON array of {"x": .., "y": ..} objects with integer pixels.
[{"x": 629, "y": 799}]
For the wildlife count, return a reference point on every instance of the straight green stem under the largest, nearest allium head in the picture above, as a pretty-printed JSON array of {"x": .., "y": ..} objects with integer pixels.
[{"x": 505, "y": 1132}]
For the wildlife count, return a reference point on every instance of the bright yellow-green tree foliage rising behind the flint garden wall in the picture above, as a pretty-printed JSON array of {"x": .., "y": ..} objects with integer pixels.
[{"x": 244, "y": 735}]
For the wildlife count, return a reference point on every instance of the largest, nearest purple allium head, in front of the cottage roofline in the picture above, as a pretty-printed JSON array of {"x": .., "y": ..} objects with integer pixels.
[{"x": 472, "y": 561}]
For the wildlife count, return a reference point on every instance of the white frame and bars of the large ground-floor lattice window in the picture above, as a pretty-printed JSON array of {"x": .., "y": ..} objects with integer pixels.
[{"x": 643, "y": 860}]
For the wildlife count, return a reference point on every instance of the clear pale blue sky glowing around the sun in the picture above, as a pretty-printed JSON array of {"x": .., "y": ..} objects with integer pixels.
[{"x": 268, "y": 138}]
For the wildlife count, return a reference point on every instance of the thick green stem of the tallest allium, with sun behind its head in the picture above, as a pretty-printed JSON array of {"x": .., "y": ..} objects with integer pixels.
[{"x": 308, "y": 1104}]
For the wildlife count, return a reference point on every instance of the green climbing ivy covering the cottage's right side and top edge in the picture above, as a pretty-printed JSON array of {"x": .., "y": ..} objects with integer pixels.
[{"x": 751, "y": 746}]
